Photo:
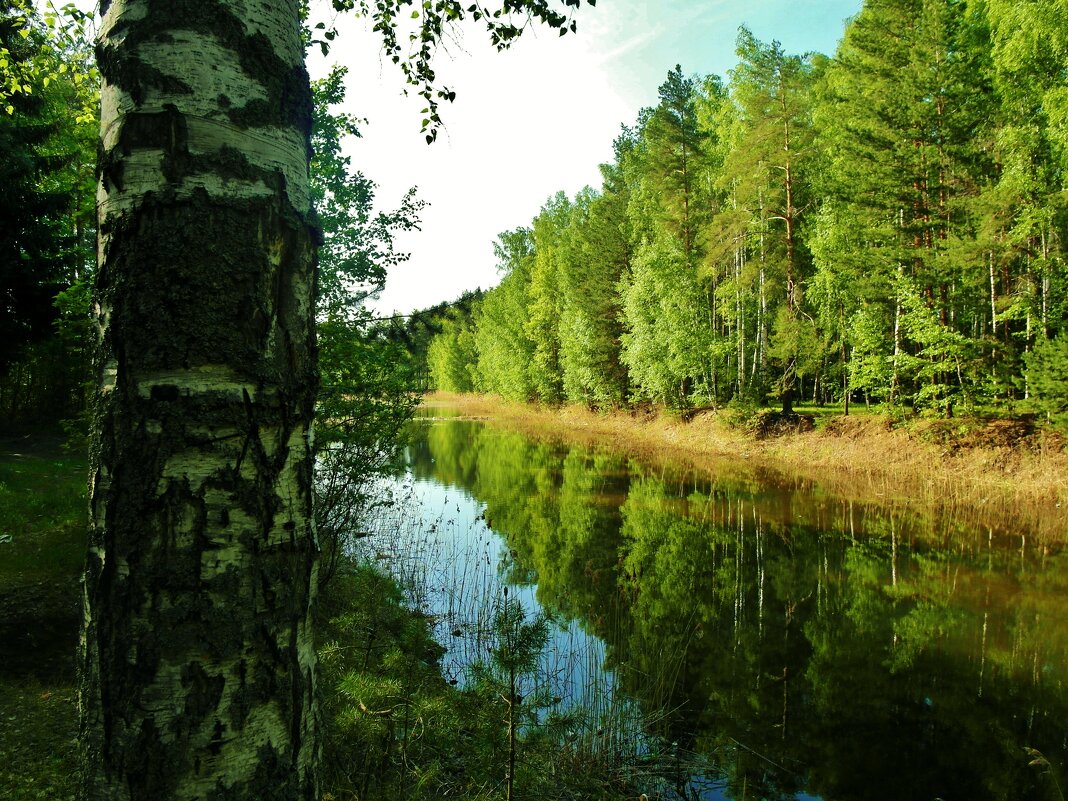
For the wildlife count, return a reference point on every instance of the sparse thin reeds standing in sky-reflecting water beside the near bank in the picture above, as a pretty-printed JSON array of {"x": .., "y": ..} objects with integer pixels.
[{"x": 586, "y": 732}]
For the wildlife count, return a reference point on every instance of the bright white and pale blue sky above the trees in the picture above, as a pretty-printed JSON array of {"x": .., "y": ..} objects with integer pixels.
[{"x": 536, "y": 120}]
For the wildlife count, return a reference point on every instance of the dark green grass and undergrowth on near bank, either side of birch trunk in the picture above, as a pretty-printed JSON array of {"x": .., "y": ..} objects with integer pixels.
[{"x": 394, "y": 726}]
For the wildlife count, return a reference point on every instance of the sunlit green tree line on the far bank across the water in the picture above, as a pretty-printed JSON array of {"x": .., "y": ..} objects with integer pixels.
[{"x": 886, "y": 226}]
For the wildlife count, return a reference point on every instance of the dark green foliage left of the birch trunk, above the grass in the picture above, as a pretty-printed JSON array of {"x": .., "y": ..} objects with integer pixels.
[{"x": 49, "y": 208}]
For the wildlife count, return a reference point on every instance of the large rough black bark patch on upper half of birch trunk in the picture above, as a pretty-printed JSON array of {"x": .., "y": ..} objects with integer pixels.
[{"x": 190, "y": 282}]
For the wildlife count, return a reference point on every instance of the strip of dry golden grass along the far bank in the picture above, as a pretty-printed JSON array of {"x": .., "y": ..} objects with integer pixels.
[{"x": 1001, "y": 474}]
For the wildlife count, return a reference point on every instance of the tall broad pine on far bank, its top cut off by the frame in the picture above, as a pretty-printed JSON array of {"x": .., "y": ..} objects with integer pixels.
[{"x": 898, "y": 117}]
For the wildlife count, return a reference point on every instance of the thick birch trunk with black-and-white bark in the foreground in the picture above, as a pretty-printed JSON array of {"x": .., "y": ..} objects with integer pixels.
[{"x": 198, "y": 664}]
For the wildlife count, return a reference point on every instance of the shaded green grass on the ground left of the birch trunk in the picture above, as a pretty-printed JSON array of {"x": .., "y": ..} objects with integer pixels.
[{"x": 42, "y": 549}]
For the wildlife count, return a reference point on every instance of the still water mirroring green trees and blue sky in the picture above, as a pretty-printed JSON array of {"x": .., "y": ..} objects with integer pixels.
[{"x": 803, "y": 646}]
